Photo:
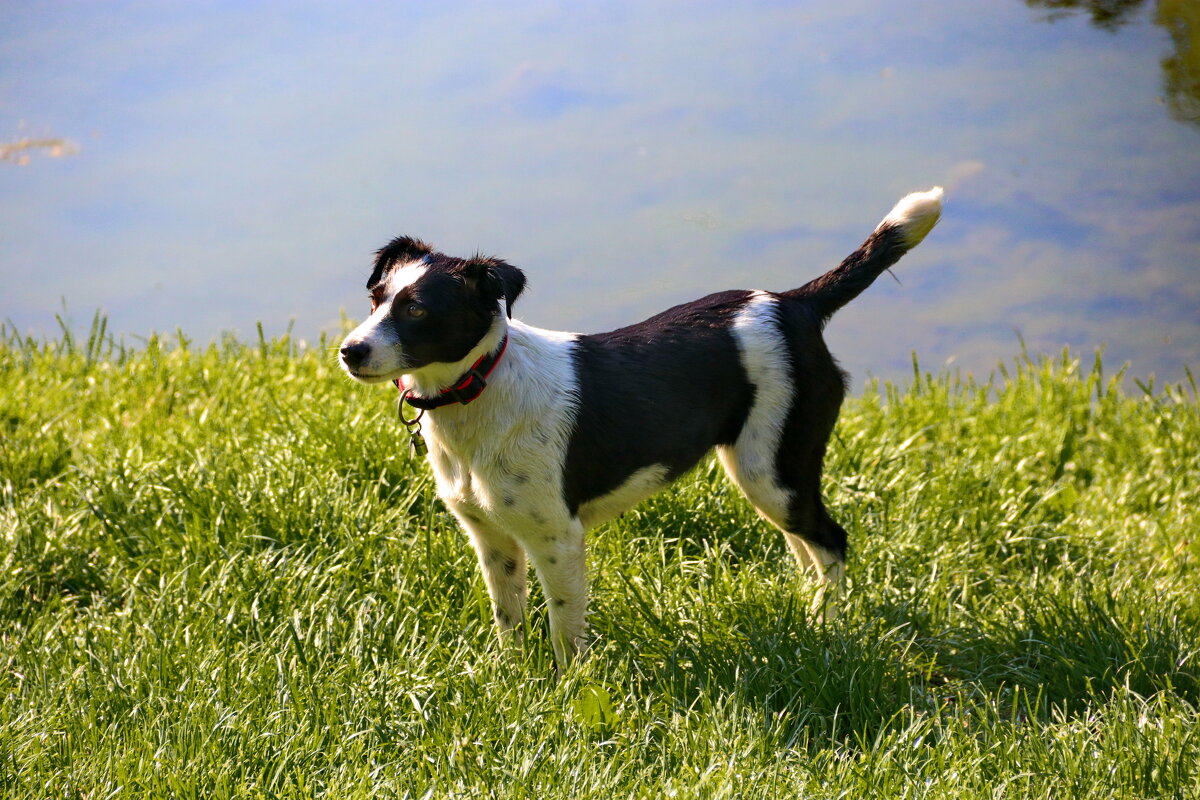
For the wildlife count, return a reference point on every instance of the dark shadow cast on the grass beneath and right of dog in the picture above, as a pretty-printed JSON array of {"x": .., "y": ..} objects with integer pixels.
[{"x": 851, "y": 681}]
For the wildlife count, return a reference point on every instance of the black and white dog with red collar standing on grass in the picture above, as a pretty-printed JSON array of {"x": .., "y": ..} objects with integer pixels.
[{"x": 537, "y": 436}]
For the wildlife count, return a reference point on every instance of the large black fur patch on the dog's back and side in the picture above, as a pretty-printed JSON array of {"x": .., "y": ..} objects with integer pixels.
[{"x": 663, "y": 392}]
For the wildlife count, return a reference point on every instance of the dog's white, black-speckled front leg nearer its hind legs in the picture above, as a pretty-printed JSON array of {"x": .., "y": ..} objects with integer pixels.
[{"x": 562, "y": 570}]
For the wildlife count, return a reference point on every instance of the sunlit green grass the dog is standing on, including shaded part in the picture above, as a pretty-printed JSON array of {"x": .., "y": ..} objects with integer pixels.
[{"x": 221, "y": 575}]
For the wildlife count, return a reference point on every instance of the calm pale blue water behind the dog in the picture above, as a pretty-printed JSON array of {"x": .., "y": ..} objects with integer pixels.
[{"x": 239, "y": 163}]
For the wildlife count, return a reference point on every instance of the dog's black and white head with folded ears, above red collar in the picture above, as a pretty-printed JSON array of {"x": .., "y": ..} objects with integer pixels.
[{"x": 428, "y": 309}]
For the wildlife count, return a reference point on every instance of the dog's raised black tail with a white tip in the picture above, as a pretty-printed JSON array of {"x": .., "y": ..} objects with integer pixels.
[{"x": 901, "y": 232}]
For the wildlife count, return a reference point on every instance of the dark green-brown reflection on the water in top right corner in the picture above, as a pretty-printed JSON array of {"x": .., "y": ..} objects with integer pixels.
[{"x": 1181, "y": 19}]
